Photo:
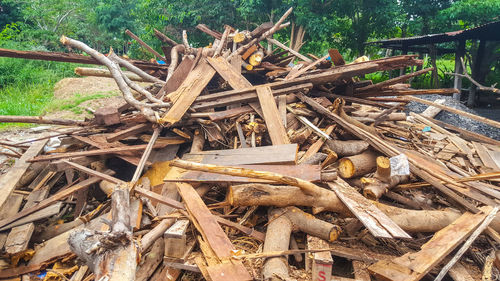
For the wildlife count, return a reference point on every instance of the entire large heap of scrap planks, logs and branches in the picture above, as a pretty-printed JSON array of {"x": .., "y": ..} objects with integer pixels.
[{"x": 235, "y": 164}]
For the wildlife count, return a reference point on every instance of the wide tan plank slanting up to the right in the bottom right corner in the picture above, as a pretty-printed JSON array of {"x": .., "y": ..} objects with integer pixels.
[{"x": 414, "y": 266}]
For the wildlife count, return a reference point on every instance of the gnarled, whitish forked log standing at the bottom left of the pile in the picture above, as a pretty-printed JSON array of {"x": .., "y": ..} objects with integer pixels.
[{"x": 118, "y": 261}]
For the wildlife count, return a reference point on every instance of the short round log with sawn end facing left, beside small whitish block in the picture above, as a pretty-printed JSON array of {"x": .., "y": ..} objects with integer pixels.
[{"x": 357, "y": 165}]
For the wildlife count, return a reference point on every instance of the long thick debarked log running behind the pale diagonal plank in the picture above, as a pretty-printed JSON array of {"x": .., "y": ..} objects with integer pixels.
[{"x": 282, "y": 196}]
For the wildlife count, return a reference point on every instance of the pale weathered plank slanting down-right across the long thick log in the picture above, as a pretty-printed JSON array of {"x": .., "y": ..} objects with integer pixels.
[{"x": 377, "y": 222}]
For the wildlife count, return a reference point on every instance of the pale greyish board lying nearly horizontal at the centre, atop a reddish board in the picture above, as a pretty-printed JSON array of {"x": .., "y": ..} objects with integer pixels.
[{"x": 276, "y": 154}]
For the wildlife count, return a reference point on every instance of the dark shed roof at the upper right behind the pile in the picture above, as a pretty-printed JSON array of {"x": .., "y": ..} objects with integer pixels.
[{"x": 489, "y": 31}]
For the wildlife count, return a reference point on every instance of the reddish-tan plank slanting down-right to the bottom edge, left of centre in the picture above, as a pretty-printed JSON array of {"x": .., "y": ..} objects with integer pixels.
[{"x": 213, "y": 234}]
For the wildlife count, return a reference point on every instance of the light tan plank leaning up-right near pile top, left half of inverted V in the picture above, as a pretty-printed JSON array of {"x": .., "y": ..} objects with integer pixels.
[{"x": 188, "y": 91}]
